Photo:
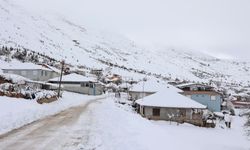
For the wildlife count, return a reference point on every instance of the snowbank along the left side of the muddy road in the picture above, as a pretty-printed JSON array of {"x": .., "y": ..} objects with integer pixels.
[{"x": 15, "y": 113}]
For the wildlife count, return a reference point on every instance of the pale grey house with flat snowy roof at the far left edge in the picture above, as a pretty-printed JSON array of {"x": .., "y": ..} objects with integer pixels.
[{"x": 30, "y": 71}]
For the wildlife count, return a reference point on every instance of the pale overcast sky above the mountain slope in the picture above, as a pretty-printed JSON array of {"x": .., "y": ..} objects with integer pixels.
[{"x": 217, "y": 27}]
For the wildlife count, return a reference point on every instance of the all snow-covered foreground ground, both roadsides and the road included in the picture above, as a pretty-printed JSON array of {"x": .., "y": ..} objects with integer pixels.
[{"x": 107, "y": 125}]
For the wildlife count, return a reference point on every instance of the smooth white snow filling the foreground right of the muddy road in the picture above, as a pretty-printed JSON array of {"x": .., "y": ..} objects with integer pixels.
[{"x": 116, "y": 129}]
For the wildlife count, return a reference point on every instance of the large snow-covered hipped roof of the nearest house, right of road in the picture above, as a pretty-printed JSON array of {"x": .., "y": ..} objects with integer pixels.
[{"x": 169, "y": 98}]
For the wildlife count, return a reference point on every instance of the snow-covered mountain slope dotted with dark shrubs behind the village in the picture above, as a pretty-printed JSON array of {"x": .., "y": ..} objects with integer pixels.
[{"x": 60, "y": 38}]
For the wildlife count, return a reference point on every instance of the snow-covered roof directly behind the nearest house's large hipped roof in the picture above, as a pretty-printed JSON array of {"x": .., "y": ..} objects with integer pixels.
[{"x": 152, "y": 86}]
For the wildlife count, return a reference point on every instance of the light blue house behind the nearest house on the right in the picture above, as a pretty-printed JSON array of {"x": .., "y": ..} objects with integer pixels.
[{"x": 203, "y": 94}]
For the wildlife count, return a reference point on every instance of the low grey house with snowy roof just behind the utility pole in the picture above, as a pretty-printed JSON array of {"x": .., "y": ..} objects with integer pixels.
[{"x": 79, "y": 84}]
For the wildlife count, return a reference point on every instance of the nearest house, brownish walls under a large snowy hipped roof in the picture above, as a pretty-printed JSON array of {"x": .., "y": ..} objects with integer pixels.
[{"x": 171, "y": 106}]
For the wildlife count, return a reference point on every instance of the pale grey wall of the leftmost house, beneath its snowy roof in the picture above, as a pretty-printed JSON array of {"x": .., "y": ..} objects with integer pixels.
[{"x": 36, "y": 75}]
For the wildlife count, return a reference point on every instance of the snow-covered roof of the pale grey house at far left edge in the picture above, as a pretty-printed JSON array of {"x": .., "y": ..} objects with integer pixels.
[{"x": 22, "y": 66}]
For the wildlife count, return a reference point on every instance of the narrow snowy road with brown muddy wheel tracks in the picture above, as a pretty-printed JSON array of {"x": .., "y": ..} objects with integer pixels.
[{"x": 61, "y": 131}]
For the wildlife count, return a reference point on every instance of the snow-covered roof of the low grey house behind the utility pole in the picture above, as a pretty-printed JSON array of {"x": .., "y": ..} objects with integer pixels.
[{"x": 74, "y": 78}]
